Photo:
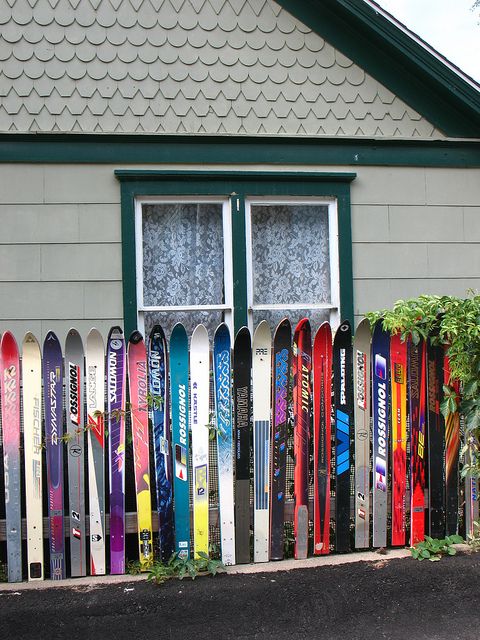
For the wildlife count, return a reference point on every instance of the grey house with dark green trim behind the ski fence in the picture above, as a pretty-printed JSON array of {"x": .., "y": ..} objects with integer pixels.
[{"x": 165, "y": 160}]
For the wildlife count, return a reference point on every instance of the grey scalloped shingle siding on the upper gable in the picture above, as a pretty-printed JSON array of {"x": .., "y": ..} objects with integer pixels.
[{"x": 212, "y": 67}]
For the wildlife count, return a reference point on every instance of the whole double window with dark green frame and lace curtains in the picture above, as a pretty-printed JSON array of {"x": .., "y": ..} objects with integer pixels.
[{"x": 202, "y": 246}]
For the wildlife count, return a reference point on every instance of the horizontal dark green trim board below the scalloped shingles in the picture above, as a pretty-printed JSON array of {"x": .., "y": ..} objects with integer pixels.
[{"x": 274, "y": 150}]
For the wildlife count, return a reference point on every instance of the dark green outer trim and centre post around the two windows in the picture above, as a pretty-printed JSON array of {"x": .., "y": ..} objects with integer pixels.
[{"x": 237, "y": 185}]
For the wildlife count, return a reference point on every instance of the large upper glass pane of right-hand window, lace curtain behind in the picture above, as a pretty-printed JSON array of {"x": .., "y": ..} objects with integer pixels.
[{"x": 290, "y": 254}]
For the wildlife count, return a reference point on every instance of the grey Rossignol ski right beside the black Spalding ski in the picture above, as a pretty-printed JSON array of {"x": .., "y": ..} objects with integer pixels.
[{"x": 361, "y": 375}]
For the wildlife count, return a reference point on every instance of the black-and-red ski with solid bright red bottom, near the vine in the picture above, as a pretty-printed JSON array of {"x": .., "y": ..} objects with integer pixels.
[{"x": 417, "y": 395}]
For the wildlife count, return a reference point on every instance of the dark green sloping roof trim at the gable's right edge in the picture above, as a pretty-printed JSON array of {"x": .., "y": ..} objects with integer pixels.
[{"x": 396, "y": 60}]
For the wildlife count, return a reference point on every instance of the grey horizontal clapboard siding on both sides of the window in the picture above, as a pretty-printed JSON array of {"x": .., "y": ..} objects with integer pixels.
[{"x": 405, "y": 242}]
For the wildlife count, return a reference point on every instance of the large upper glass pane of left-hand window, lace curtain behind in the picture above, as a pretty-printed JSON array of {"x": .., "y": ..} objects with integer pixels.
[{"x": 182, "y": 254}]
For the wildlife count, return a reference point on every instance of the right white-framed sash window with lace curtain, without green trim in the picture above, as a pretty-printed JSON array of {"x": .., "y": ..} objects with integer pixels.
[{"x": 292, "y": 260}]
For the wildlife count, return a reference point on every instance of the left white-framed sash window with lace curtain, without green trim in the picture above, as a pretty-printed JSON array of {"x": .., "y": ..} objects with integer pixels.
[{"x": 184, "y": 263}]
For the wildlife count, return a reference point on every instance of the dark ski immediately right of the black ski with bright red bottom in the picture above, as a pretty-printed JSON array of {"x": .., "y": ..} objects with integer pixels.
[{"x": 436, "y": 440}]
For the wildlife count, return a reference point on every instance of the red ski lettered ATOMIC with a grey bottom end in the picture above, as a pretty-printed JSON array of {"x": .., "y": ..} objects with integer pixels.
[{"x": 302, "y": 397}]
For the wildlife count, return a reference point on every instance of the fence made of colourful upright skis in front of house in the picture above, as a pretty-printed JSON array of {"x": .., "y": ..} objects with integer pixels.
[{"x": 257, "y": 449}]
